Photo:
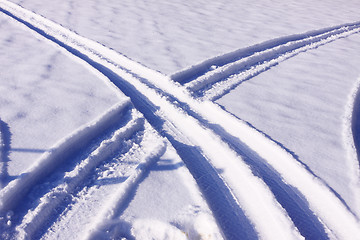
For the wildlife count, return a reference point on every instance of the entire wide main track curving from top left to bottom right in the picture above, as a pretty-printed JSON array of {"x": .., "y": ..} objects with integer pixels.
[{"x": 203, "y": 131}]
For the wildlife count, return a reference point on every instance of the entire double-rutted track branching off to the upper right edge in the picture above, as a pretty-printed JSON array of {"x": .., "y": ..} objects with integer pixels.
[{"x": 215, "y": 77}]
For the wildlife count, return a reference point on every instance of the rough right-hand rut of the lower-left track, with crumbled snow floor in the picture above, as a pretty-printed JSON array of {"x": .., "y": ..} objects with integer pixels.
[{"x": 110, "y": 176}]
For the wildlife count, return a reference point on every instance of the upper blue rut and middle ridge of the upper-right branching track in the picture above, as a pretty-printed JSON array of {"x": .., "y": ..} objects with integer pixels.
[{"x": 216, "y": 69}]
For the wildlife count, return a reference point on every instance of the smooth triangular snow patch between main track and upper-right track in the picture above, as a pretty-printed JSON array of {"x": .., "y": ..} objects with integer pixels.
[{"x": 301, "y": 104}]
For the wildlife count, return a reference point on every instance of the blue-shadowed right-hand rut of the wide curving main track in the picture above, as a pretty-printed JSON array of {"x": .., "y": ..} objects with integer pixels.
[{"x": 289, "y": 197}]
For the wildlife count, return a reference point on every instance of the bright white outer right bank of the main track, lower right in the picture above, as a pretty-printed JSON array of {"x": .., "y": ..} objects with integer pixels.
[{"x": 322, "y": 201}]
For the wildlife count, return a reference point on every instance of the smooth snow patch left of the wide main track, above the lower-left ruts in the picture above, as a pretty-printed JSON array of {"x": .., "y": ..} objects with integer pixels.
[{"x": 44, "y": 95}]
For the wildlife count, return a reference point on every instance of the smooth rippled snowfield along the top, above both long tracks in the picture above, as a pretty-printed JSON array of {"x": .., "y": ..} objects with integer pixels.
[{"x": 181, "y": 33}]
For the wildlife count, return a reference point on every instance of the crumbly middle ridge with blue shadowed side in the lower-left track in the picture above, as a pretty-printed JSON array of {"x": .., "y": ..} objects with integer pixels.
[{"x": 34, "y": 219}]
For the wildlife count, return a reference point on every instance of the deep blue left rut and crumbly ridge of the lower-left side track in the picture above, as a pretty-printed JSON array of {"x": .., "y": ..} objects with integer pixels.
[{"x": 121, "y": 122}]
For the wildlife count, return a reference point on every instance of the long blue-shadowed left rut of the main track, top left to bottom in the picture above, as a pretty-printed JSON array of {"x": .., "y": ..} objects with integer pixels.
[{"x": 231, "y": 219}]
